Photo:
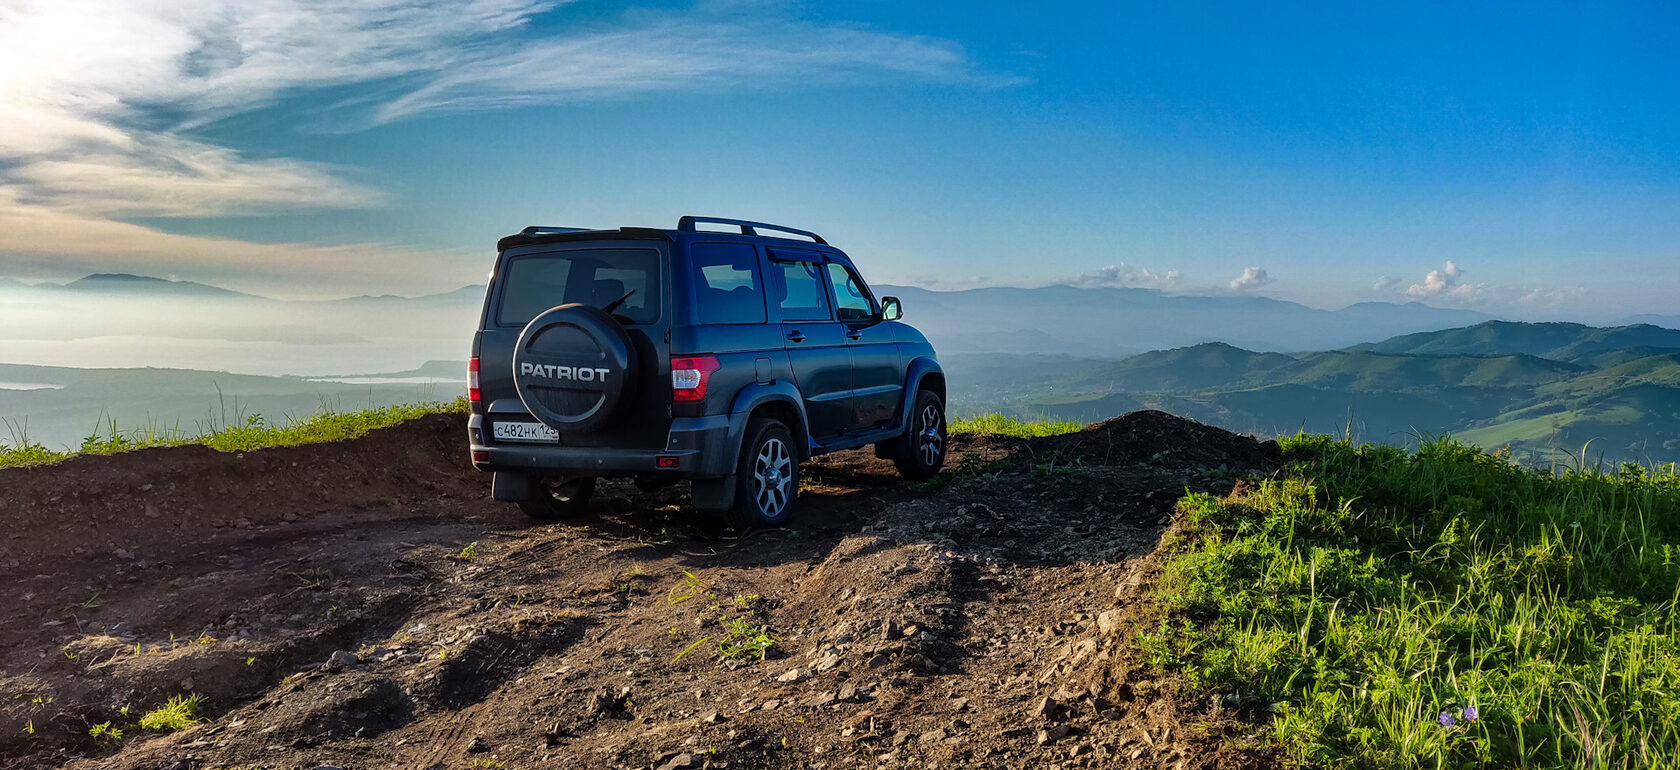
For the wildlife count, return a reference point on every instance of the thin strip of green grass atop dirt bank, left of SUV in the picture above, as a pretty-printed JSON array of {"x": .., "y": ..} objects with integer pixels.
[{"x": 253, "y": 435}]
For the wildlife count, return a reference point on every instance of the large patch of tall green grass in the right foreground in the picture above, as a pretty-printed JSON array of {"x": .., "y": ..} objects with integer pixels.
[{"x": 1368, "y": 596}]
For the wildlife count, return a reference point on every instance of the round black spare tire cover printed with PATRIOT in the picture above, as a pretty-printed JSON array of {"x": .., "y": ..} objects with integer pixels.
[{"x": 574, "y": 366}]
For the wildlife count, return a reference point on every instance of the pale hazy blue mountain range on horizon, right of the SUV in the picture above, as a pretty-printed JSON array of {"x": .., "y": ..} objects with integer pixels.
[{"x": 1125, "y": 322}]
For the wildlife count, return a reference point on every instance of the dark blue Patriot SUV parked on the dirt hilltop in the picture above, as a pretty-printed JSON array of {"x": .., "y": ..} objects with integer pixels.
[{"x": 722, "y": 359}]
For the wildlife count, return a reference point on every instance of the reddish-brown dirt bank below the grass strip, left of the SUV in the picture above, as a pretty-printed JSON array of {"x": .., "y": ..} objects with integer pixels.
[{"x": 135, "y": 500}]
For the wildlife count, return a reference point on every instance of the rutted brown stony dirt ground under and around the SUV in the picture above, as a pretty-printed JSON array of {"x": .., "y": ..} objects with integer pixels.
[{"x": 367, "y": 606}]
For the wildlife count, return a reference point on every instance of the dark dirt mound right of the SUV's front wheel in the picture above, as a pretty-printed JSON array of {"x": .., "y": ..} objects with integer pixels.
[{"x": 1155, "y": 438}]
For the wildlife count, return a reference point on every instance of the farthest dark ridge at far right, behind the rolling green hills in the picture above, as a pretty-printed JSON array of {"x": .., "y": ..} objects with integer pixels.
[{"x": 1563, "y": 342}]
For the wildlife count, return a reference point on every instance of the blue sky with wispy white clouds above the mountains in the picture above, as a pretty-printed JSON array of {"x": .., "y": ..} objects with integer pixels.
[{"x": 1516, "y": 159}]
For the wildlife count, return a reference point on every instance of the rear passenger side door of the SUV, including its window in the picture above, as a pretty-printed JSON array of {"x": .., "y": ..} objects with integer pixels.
[{"x": 816, "y": 342}]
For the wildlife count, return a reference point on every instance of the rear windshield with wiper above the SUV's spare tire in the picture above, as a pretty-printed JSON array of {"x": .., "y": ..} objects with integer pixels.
[{"x": 535, "y": 283}]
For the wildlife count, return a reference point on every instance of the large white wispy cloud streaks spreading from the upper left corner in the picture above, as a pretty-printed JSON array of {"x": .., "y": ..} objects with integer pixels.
[{"x": 107, "y": 98}]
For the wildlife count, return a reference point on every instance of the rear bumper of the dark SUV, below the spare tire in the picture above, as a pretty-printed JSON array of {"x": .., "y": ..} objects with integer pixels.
[{"x": 698, "y": 448}]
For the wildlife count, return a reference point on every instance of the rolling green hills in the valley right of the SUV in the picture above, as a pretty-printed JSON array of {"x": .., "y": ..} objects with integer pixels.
[{"x": 1545, "y": 391}]
